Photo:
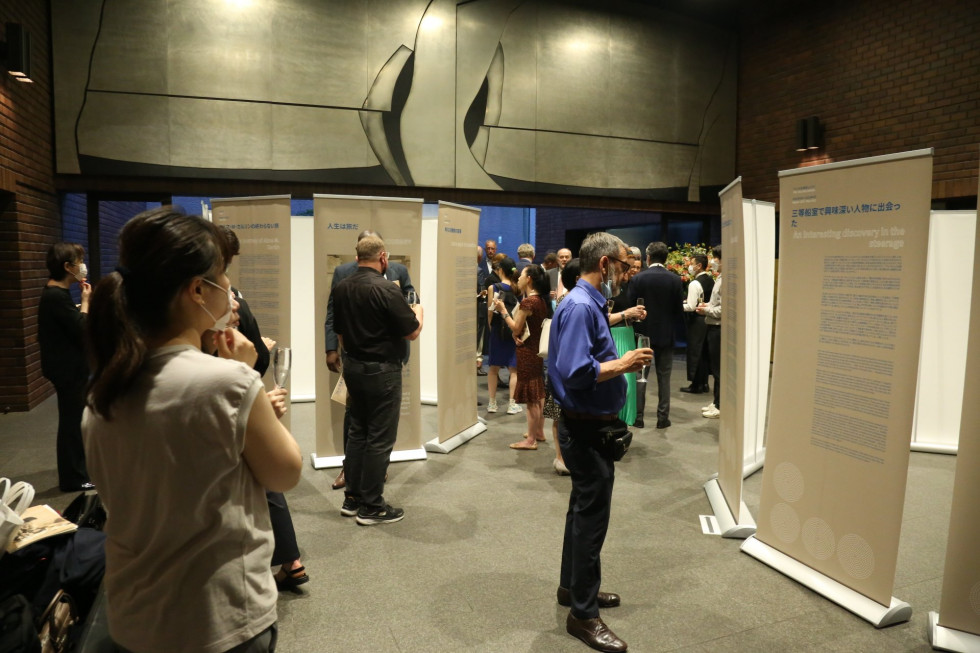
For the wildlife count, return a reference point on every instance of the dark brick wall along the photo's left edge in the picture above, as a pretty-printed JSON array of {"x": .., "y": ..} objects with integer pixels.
[{"x": 29, "y": 220}]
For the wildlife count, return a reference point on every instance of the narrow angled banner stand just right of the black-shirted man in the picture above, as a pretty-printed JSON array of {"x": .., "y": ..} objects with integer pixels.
[{"x": 458, "y": 230}]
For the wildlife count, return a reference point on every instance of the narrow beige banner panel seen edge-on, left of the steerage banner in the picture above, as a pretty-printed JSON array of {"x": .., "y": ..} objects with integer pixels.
[{"x": 731, "y": 429}]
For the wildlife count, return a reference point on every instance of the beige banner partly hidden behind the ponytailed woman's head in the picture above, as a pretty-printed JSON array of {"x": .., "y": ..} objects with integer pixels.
[{"x": 261, "y": 271}]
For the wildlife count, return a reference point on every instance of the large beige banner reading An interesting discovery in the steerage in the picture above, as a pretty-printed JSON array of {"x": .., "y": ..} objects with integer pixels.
[{"x": 851, "y": 279}]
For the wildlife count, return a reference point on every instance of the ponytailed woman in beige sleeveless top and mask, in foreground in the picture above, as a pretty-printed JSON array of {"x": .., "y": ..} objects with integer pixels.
[{"x": 182, "y": 446}]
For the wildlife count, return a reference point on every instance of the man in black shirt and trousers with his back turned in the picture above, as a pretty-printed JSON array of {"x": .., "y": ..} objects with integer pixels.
[{"x": 373, "y": 323}]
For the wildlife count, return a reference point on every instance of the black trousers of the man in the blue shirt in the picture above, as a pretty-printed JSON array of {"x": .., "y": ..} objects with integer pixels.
[{"x": 587, "y": 519}]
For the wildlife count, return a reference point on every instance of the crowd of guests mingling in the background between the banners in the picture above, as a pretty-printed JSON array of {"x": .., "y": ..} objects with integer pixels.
[{"x": 515, "y": 297}]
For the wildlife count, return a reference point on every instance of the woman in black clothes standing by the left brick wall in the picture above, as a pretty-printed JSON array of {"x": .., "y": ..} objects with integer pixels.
[{"x": 60, "y": 334}]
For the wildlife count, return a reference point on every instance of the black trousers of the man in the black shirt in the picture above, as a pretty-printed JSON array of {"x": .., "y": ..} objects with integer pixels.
[{"x": 374, "y": 391}]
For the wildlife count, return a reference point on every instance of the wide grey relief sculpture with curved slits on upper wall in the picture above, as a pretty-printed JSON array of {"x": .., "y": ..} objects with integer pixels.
[{"x": 493, "y": 94}]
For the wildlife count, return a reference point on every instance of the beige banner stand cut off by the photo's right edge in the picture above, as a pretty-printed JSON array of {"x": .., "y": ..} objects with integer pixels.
[{"x": 957, "y": 625}]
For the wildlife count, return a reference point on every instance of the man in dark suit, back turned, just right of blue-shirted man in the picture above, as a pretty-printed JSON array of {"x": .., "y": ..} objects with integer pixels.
[{"x": 662, "y": 292}]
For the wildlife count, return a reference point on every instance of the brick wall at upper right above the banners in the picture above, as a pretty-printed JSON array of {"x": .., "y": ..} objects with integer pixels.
[{"x": 883, "y": 76}]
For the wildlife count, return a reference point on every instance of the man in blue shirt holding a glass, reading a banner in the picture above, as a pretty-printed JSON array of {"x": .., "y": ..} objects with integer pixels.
[{"x": 586, "y": 376}]
